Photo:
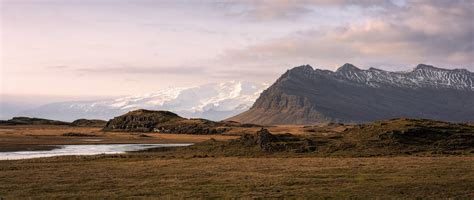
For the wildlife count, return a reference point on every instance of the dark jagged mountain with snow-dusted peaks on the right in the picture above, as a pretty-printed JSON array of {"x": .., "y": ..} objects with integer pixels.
[{"x": 304, "y": 95}]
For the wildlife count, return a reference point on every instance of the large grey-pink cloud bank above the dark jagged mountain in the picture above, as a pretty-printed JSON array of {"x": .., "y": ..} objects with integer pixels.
[{"x": 438, "y": 32}]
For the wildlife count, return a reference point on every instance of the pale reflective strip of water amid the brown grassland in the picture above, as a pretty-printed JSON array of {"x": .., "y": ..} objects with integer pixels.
[{"x": 95, "y": 149}]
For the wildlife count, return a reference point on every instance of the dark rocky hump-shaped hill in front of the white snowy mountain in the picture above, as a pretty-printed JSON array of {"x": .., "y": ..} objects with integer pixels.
[{"x": 163, "y": 122}]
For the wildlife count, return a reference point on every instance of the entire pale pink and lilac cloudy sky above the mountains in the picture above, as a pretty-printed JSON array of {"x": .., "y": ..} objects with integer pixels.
[{"x": 122, "y": 47}]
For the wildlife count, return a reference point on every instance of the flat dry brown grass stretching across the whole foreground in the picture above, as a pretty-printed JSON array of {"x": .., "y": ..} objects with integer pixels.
[{"x": 229, "y": 177}]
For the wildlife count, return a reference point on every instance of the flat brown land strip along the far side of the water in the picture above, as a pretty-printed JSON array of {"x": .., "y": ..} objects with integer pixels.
[{"x": 17, "y": 138}]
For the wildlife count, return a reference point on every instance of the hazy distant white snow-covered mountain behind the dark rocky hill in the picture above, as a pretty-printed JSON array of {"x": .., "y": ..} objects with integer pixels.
[{"x": 211, "y": 101}]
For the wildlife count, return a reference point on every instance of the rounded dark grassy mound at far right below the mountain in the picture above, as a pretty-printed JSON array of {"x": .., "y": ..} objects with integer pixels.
[{"x": 410, "y": 136}]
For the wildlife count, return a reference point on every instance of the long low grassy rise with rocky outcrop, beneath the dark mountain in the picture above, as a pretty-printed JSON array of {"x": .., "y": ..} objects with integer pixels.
[{"x": 391, "y": 137}]
